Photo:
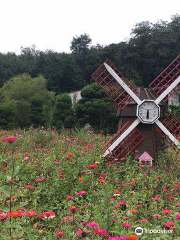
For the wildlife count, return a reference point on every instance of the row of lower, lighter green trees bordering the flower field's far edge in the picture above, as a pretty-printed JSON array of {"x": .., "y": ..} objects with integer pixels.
[{"x": 27, "y": 102}]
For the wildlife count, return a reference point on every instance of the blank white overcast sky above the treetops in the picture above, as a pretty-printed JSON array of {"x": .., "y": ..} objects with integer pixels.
[{"x": 52, "y": 24}]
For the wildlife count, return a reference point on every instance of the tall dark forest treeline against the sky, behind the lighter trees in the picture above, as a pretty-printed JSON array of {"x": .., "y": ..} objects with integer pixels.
[{"x": 149, "y": 50}]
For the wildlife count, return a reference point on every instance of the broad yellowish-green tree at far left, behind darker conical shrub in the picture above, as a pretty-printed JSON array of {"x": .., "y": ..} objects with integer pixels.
[{"x": 18, "y": 93}]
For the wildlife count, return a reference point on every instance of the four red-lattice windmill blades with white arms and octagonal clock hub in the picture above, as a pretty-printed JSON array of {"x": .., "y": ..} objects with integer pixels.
[{"x": 148, "y": 110}]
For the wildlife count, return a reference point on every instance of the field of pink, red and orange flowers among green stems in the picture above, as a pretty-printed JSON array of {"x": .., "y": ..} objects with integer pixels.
[{"x": 56, "y": 186}]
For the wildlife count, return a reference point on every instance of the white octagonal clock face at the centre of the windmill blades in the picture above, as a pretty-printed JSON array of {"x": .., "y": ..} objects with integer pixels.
[{"x": 148, "y": 111}]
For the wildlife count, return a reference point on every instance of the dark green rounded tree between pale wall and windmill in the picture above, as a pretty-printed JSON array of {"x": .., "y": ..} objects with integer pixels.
[{"x": 96, "y": 109}]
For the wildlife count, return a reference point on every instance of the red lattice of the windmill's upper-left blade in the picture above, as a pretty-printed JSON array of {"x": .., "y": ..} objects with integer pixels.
[{"x": 110, "y": 86}]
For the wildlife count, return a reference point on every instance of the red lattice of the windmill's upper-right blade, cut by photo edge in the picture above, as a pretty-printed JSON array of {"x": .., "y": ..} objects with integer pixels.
[{"x": 168, "y": 76}]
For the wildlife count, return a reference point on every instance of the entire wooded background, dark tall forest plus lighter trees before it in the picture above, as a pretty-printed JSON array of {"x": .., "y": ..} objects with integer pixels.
[{"x": 50, "y": 75}]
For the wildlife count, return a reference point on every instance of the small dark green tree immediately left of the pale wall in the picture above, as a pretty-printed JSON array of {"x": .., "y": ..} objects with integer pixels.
[{"x": 63, "y": 113}]
